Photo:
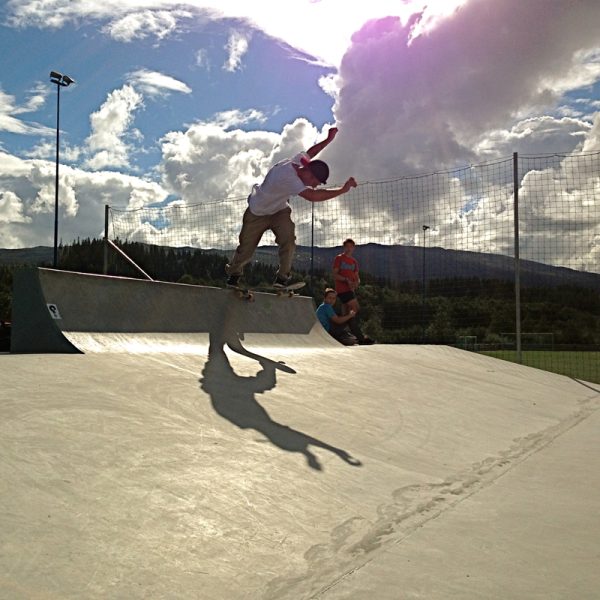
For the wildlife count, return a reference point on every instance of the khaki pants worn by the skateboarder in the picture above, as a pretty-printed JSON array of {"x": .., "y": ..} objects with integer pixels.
[{"x": 253, "y": 227}]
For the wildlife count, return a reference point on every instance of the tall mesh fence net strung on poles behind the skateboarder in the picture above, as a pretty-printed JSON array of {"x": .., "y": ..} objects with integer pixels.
[{"x": 436, "y": 253}]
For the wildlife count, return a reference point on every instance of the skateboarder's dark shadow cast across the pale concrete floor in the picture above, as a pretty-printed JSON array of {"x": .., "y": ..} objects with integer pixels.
[{"x": 234, "y": 398}]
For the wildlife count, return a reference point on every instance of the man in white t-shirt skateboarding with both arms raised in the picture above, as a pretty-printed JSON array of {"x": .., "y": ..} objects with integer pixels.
[{"x": 269, "y": 208}]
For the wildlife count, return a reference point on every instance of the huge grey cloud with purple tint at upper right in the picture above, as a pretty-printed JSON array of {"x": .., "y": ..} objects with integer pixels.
[{"x": 425, "y": 102}]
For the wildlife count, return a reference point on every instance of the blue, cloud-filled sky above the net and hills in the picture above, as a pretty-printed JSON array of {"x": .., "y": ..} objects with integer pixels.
[{"x": 191, "y": 102}]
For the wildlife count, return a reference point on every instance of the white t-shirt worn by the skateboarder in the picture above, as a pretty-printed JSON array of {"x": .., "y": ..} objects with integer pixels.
[{"x": 280, "y": 183}]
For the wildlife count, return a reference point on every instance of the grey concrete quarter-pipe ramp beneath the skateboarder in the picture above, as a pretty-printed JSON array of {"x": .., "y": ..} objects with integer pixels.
[{"x": 61, "y": 311}]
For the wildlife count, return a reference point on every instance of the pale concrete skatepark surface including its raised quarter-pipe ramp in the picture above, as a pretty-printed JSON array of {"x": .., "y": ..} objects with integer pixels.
[{"x": 172, "y": 441}]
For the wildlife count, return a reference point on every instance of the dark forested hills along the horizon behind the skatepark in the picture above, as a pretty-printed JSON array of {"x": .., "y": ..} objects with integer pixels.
[{"x": 459, "y": 299}]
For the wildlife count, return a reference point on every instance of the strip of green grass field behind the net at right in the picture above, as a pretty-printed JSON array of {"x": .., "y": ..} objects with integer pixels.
[{"x": 579, "y": 365}]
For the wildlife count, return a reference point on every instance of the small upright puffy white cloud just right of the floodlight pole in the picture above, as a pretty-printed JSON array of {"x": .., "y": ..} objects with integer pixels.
[{"x": 110, "y": 125}]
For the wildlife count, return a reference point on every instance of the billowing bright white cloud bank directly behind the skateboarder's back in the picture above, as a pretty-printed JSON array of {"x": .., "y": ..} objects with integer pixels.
[{"x": 211, "y": 170}]
